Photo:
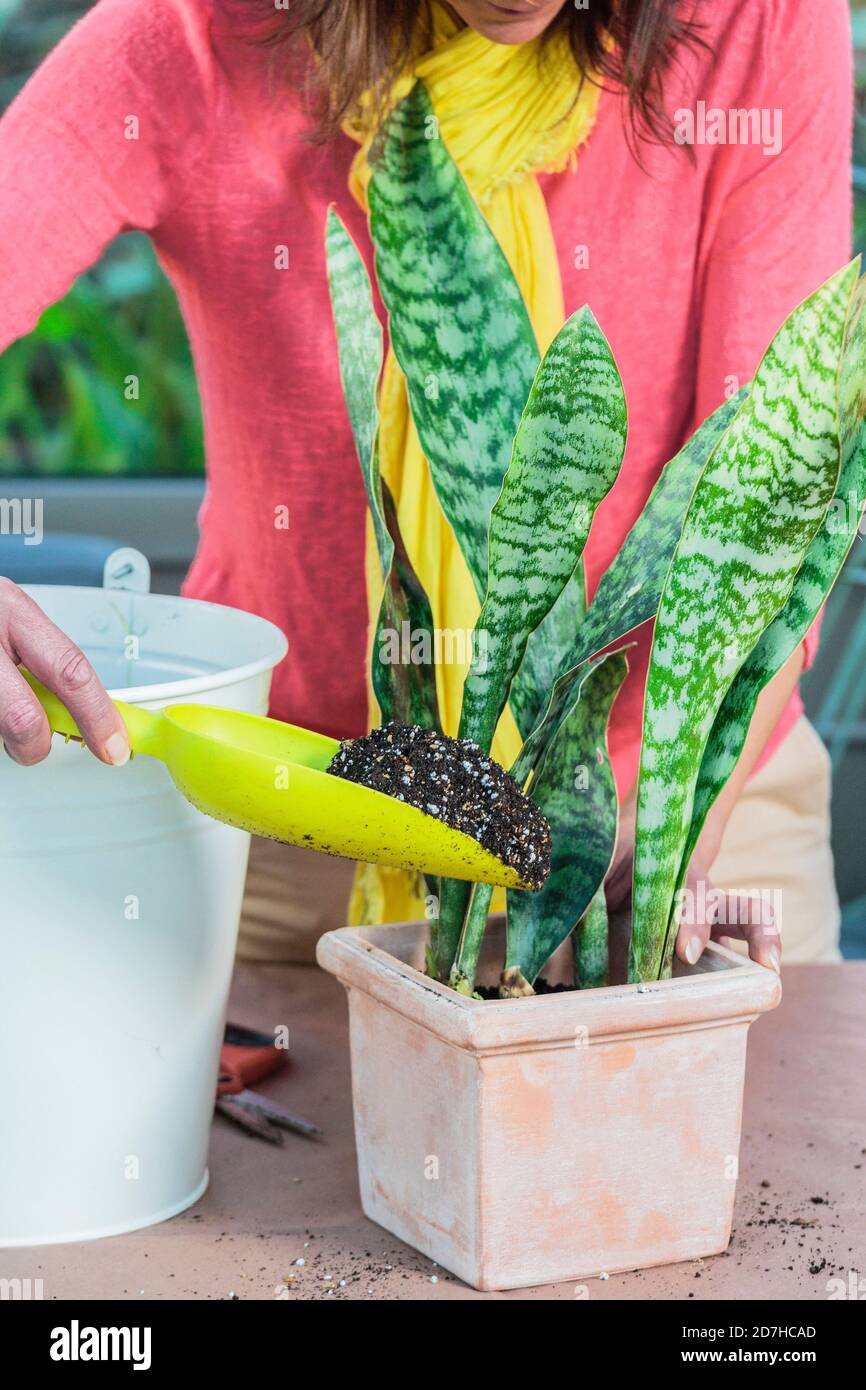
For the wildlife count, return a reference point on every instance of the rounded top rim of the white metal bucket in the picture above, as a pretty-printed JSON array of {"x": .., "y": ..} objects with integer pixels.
[{"x": 173, "y": 693}]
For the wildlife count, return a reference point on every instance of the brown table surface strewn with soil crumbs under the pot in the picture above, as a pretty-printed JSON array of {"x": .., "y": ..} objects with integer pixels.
[{"x": 801, "y": 1200}]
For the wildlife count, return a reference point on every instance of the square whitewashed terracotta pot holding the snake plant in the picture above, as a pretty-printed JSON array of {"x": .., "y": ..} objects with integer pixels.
[{"x": 525, "y": 1142}]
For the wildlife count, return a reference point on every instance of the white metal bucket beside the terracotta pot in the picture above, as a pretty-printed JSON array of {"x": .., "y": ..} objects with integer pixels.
[{"x": 119, "y": 918}]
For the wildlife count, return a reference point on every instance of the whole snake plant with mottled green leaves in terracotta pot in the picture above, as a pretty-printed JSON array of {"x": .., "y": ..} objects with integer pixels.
[{"x": 730, "y": 558}]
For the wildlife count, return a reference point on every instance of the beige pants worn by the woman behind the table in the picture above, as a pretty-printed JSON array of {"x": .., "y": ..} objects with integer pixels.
[{"x": 778, "y": 842}]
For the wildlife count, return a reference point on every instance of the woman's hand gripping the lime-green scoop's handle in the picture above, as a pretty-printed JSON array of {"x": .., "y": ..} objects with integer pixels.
[{"x": 30, "y": 639}]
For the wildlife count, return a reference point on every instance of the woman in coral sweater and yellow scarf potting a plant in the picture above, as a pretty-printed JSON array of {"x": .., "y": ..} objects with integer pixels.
[{"x": 174, "y": 117}]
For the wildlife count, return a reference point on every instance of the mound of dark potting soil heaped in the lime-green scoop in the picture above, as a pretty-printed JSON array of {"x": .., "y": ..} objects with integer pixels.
[{"x": 452, "y": 780}]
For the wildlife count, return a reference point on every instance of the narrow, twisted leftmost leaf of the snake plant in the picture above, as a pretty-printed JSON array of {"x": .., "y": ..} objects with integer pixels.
[{"x": 404, "y": 672}]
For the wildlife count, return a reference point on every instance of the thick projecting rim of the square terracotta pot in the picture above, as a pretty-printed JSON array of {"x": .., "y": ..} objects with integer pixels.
[{"x": 721, "y": 990}]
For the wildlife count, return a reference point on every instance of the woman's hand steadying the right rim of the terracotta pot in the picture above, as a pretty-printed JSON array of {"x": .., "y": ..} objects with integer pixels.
[{"x": 707, "y": 913}]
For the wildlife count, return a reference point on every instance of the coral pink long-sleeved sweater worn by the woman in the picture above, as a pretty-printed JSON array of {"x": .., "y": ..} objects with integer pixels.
[{"x": 689, "y": 268}]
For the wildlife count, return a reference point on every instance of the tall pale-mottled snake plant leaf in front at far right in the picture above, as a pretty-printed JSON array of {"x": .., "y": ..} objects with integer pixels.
[{"x": 755, "y": 511}]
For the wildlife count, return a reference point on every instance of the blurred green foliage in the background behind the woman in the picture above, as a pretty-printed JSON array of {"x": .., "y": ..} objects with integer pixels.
[{"x": 62, "y": 389}]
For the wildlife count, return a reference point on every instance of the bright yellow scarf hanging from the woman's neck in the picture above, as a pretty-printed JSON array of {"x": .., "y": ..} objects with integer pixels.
[{"x": 504, "y": 119}]
